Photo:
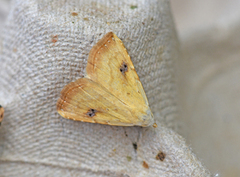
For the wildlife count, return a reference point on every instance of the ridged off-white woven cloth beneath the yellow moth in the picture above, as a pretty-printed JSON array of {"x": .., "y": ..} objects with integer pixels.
[{"x": 44, "y": 46}]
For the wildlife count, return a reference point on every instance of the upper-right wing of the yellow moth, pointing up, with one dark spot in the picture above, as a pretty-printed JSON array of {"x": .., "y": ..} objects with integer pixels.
[{"x": 106, "y": 59}]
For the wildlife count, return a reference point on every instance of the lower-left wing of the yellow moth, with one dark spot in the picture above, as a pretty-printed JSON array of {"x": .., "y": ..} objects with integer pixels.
[{"x": 88, "y": 101}]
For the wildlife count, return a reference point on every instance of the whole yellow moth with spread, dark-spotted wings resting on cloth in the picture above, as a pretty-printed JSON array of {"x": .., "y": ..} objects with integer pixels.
[{"x": 110, "y": 93}]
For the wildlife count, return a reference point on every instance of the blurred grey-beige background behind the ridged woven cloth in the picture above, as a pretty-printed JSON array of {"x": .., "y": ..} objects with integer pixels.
[{"x": 208, "y": 76}]
